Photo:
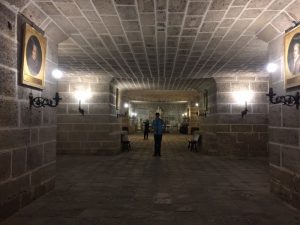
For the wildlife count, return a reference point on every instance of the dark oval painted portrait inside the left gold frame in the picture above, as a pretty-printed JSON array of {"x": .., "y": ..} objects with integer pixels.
[{"x": 34, "y": 56}]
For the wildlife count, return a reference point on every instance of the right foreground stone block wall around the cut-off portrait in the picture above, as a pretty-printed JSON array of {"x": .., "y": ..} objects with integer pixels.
[{"x": 284, "y": 128}]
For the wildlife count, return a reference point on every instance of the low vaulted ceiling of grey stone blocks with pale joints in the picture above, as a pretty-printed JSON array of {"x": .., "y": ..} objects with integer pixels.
[{"x": 170, "y": 44}]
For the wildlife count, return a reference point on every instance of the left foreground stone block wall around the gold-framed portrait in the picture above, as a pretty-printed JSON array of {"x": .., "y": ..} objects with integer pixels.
[{"x": 27, "y": 137}]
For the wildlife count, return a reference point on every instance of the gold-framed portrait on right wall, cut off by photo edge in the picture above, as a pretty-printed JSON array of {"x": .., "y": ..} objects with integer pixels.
[{"x": 292, "y": 58}]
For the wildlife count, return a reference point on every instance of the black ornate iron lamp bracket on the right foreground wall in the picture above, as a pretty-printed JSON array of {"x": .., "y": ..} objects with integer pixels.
[{"x": 289, "y": 100}]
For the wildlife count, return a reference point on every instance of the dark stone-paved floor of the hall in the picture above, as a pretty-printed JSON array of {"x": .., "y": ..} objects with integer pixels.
[{"x": 179, "y": 188}]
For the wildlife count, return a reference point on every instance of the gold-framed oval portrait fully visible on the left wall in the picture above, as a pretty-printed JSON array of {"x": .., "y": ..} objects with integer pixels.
[{"x": 34, "y": 54}]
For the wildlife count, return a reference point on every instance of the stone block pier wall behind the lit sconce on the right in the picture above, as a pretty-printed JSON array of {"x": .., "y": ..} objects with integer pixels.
[{"x": 226, "y": 132}]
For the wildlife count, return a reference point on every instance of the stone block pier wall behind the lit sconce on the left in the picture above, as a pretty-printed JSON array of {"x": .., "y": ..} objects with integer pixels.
[{"x": 98, "y": 131}]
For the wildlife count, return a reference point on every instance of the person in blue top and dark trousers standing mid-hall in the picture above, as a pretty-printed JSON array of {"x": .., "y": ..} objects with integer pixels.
[{"x": 158, "y": 127}]
